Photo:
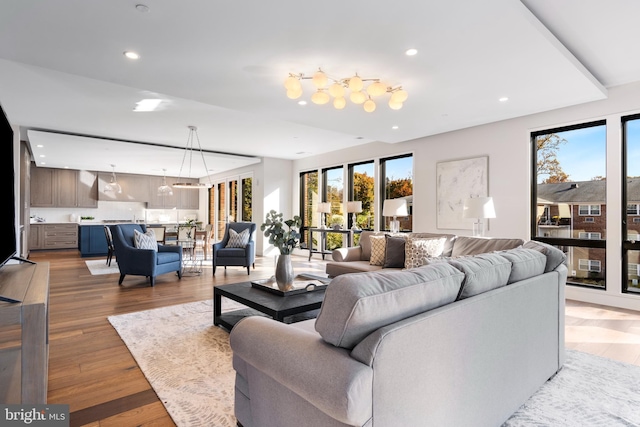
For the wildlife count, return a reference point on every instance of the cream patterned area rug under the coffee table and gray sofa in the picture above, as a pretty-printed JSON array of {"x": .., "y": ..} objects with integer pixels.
[{"x": 187, "y": 360}]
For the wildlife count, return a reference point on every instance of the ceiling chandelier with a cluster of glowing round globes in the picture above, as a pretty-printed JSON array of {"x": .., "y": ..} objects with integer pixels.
[{"x": 327, "y": 87}]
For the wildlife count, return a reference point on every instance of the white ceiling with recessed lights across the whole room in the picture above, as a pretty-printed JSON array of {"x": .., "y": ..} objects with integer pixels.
[{"x": 221, "y": 66}]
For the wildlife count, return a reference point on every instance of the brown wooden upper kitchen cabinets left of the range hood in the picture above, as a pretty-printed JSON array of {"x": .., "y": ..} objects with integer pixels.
[{"x": 63, "y": 188}]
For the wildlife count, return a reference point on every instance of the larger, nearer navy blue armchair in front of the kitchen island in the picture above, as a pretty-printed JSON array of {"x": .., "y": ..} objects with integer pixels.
[{"x": 143, "y": 262}]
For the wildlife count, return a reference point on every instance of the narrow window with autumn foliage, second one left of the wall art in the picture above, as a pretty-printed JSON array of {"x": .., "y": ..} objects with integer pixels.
[{"x": 361, "y": 188}]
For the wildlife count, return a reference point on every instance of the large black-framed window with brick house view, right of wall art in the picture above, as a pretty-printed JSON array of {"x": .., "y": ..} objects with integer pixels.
[{"x": 569, "y": 165}]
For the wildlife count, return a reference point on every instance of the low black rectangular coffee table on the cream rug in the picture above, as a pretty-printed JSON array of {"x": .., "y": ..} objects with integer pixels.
[{"x": 287, "y": 309}]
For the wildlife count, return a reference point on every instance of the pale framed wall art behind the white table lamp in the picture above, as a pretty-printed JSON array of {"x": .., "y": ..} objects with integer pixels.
[{"x": 456, "y": 181}]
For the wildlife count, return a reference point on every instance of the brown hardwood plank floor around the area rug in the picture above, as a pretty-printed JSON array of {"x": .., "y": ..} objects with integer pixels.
[{"x": 91, "y": 369}]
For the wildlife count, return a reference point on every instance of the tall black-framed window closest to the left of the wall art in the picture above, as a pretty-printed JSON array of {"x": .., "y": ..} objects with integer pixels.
[{"x": 397, "y": 182}]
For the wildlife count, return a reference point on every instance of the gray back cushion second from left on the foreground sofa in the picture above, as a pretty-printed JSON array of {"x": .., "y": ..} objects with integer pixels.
[{"x": 482, "y": 272}]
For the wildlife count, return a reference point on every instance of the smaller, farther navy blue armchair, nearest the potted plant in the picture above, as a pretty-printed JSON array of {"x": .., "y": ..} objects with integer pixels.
[{"x": 242, "y": 257}]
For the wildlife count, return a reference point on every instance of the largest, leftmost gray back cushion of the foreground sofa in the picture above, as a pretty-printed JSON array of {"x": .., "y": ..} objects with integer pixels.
[{"x": 357, "y": 304}]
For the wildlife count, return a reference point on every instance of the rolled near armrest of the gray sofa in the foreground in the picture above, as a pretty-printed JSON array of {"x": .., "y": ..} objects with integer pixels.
[{"x": 300, "y": 360}]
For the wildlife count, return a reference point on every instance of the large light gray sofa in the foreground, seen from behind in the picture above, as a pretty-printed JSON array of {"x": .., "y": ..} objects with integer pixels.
[{"x": 461, "y": 341}]
